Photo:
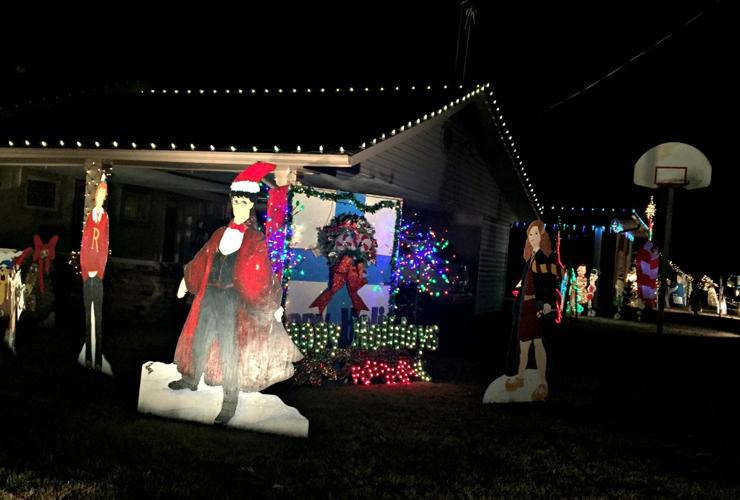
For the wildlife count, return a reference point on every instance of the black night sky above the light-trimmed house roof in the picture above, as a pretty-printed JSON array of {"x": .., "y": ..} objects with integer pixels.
[{"x": 580, "y": 151}]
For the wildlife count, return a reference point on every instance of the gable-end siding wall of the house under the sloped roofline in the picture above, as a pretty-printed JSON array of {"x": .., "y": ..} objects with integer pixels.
[{"x": 447, "y": 168}]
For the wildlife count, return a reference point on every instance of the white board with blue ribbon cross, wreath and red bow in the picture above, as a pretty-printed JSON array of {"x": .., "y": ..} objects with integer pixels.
[{"x": 342, "y": 247}]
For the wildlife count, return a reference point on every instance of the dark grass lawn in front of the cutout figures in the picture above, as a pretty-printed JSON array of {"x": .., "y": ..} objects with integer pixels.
[{"x": 630, "y": 415}]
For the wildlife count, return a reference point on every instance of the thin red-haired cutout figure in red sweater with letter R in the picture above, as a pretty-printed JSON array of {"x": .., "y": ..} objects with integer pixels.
[{"x": 93, "y": 258}]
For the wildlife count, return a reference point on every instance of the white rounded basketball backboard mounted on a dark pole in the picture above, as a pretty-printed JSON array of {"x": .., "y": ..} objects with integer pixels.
[{"x": 673, "y": 164}]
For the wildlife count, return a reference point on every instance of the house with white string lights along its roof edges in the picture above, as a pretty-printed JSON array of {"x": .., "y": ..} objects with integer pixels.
[{"x": 173, "y": 151}]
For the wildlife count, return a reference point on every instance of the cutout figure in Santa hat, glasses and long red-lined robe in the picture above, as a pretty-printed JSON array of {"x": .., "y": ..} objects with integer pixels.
[{"x": 233, "y": 335}]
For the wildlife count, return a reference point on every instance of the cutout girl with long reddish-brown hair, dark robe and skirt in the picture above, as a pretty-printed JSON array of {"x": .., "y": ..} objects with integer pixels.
[{"x": 537, "y": 300}]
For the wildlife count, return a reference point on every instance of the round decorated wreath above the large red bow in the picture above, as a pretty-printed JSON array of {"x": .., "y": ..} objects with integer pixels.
[{"x": 350, "y": 235}]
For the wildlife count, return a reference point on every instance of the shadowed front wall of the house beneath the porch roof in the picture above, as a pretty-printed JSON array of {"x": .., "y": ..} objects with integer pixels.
[{"x": 139, "y": 286}]
